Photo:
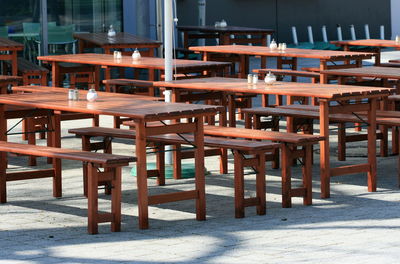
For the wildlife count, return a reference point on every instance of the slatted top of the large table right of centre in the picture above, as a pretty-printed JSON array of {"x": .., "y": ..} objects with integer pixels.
[{"x": 326, "y": 91}]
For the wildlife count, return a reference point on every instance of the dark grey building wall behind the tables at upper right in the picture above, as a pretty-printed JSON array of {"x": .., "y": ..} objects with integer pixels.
[{"x": 281, "y": 15}]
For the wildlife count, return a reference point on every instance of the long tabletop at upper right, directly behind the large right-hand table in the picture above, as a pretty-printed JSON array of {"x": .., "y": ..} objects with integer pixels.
[{"x": 290, "y": 52}]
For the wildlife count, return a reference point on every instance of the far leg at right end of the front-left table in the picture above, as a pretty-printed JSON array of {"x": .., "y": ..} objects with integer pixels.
[{"x": 199, "y": 173}]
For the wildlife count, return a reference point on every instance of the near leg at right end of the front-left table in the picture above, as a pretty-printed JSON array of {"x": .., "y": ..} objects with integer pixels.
[{"x": 143, "y": 200}]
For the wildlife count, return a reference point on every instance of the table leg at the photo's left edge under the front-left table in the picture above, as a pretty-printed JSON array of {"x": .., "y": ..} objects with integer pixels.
[{"x": 3, "y": 156}]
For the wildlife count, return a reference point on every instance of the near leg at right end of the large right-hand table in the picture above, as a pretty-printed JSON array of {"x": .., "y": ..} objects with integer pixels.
[{"x": 324, "y": 148}]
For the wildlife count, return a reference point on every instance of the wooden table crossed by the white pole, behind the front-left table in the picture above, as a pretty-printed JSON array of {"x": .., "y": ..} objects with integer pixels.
[{"x": 150, "y": 63}]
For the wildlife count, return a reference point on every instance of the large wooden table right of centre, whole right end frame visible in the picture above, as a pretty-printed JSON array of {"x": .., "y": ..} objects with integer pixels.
[{"x": 332, "y": 99}]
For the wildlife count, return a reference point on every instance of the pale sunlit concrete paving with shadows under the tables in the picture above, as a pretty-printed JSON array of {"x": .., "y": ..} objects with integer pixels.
[{"x": 353, "y": 226}]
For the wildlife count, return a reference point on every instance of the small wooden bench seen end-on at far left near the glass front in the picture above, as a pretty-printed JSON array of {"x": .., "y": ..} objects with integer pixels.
[{"x": 32, "y": 73}]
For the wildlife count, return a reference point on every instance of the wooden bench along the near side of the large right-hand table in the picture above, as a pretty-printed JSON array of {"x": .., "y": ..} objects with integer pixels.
[{"x": 290, "y": 141}]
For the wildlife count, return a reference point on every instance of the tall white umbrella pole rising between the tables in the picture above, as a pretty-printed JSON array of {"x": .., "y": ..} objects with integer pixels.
[{"x": 168, "y": 28}]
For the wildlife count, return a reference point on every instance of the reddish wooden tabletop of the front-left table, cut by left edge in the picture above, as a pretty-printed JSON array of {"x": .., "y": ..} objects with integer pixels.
[{"x": 115, "y": 105}]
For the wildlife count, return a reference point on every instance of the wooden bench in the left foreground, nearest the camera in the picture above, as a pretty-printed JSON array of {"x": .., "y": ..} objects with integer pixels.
[{"x": 112, "y": 172}]
